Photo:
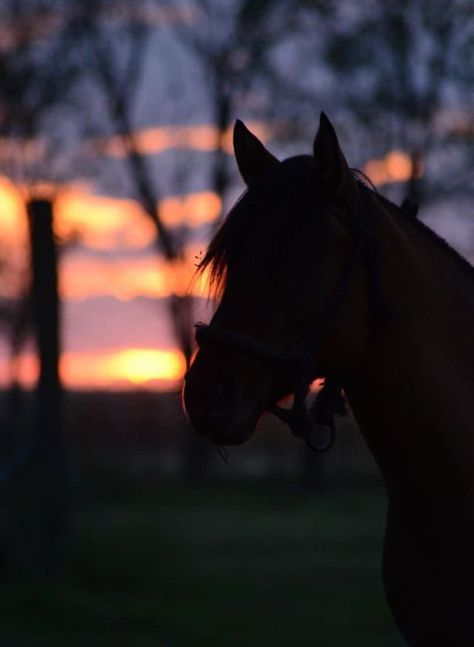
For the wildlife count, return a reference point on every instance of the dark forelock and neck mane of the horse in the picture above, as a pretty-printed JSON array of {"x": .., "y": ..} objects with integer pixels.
[{"x": 300, "y": 195}]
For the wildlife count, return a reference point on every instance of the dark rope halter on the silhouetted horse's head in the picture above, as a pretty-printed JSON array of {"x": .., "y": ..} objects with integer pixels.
[{"x": 298, "y": 362}]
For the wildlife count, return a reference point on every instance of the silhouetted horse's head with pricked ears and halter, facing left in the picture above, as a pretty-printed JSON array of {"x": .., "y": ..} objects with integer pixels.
[{"x": 284, "y": 265}]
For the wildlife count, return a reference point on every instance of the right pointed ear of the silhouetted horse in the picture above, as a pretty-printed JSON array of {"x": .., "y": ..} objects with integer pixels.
[{"x": 332, "y": 166}]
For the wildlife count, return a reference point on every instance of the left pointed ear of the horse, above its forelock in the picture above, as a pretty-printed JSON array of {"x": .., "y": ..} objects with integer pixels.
[{"x": 252, "y": 157}]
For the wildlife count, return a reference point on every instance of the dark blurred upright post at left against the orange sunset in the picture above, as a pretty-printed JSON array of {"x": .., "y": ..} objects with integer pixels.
[{"x": 37, "y": 488}]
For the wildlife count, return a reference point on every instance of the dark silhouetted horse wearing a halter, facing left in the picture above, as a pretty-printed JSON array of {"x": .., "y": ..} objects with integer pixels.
[{"x": 318, "y": 275}]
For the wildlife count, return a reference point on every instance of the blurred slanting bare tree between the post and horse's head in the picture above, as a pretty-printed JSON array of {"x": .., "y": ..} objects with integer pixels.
[{"x": 114, "y": 56}]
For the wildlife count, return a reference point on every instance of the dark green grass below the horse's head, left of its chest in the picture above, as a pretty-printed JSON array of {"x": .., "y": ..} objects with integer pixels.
[{"x": 222, "y": 565}]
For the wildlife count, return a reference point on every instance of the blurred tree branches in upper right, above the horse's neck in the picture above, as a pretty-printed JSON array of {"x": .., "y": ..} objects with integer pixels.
[{"x": 404, "y": 71}]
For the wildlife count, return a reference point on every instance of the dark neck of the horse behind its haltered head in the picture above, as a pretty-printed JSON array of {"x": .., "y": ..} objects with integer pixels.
[{"x": 411, "y": 393}]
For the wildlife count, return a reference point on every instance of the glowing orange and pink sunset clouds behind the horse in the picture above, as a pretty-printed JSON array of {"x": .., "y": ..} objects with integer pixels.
[{"x": 116, "y": 332}]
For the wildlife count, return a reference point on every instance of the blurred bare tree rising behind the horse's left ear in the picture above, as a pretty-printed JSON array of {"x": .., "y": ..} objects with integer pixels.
[{"x": 234, "y": 43}]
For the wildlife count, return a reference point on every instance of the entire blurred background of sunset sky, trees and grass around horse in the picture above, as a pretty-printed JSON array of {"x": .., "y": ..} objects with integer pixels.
[{"x": 118, "y": 525}]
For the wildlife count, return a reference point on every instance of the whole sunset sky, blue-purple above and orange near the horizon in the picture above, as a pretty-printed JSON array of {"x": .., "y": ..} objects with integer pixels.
[{"x": 176, "y": 67}]
